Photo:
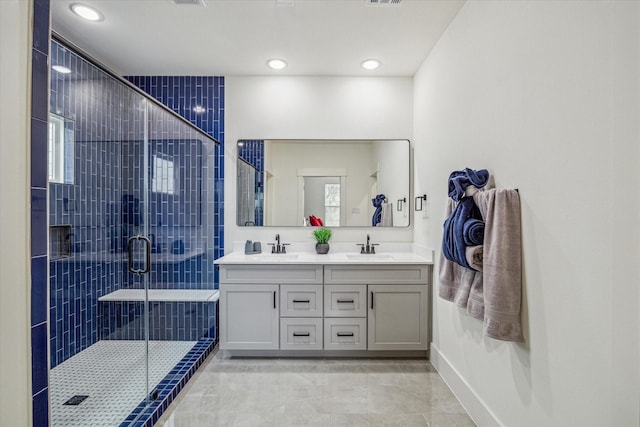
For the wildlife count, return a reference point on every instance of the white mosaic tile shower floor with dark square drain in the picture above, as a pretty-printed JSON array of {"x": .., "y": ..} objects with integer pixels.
[{"x": 112, "y": 374}]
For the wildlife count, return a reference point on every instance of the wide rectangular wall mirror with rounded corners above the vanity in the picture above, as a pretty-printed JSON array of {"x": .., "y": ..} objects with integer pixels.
[{"x": 337, "y": 183}]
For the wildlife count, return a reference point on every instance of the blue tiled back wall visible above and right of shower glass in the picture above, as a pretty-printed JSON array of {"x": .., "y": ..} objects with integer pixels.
[{"x": 183, "y": 94}]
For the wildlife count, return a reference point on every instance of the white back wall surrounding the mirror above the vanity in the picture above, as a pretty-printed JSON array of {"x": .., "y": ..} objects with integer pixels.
[{"x": 312, "y": 108}]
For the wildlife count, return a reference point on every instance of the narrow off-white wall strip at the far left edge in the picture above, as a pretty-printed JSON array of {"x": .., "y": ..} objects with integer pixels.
[{"x": 15, "y": 84}]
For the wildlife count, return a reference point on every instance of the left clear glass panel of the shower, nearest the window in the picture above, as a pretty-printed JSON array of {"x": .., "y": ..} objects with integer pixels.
[{"x": 98, "y": 353}]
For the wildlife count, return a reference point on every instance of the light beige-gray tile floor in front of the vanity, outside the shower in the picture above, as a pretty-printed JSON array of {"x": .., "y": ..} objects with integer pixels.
[{"x": 315, "y": 392}]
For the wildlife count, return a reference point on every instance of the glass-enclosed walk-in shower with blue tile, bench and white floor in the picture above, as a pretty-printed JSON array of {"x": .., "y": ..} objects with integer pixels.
[{"x": 131, "y": 245}]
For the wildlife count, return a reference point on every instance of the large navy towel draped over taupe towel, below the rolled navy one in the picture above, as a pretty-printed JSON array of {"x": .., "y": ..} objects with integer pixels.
[{"x": 453, "y": 245}]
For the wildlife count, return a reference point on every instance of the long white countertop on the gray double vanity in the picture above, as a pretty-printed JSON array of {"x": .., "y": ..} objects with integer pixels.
[{"x": 303, "y": 254}]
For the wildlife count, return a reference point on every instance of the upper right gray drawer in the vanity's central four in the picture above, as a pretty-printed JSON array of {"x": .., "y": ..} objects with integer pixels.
[{"x": 345, "y": 301}]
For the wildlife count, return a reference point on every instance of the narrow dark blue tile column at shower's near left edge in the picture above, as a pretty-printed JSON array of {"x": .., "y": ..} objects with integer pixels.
[{"x": 38, "y": 184}]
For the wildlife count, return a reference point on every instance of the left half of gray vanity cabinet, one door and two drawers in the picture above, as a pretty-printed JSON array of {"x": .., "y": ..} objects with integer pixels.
[{"x": 255, "y": 299}]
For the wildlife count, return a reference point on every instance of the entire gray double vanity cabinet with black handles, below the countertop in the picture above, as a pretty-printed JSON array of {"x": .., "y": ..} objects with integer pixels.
[{"x": 370, "y": 307}]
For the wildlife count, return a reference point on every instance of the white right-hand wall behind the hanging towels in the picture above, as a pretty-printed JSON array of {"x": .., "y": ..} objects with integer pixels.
[{"x": 545, "y": 95}]
